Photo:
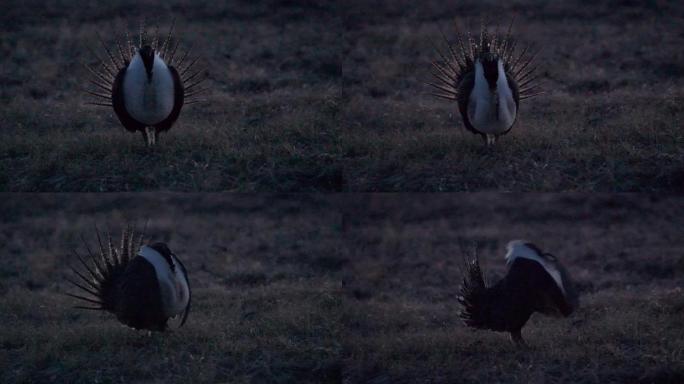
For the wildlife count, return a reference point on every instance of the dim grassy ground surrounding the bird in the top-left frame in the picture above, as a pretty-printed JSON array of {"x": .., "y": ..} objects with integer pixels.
[{"x": 269, "y": 125}]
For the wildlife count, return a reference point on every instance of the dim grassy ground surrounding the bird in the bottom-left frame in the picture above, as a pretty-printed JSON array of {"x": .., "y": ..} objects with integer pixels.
[{"x": 264, "y": 275}]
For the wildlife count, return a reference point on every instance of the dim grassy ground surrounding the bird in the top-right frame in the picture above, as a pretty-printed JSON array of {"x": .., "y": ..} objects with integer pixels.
[{"x": 611, "y": 118}]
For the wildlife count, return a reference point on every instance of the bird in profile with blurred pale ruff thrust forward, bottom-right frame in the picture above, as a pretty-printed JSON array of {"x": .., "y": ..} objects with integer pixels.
[{"x": 536, "y": 281}]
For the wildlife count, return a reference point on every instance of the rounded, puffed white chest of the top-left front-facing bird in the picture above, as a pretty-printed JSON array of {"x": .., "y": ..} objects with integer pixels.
[{"x": 148, "y": 101}]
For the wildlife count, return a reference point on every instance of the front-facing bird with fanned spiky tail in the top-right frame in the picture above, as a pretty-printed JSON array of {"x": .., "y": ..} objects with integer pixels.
[{"x": 487, "y": 78}]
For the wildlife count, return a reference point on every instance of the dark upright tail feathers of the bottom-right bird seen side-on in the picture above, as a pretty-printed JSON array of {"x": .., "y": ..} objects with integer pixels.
[{"x": 471, "y": 294}]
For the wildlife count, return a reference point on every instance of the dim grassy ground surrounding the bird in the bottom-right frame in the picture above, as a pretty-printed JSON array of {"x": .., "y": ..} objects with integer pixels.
[{"x": 626, "y": 254}]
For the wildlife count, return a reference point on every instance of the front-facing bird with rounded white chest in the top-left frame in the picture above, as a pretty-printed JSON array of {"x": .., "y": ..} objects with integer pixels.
[{"x": 146, "y": 84}]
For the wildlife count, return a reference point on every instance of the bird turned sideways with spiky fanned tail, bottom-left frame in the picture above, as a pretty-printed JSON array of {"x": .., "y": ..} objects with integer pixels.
[{"x": 143, "y": 288}]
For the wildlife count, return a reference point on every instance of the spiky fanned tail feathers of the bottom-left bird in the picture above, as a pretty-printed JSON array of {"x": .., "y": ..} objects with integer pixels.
[{"x": 99, "y": 278}]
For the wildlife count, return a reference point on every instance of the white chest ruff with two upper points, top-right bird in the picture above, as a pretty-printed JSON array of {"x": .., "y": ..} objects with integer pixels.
[{"x": 491, "y": 112}]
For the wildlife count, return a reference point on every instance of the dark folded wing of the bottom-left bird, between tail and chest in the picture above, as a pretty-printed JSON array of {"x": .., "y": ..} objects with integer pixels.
[{"x": 139, "y": 302}]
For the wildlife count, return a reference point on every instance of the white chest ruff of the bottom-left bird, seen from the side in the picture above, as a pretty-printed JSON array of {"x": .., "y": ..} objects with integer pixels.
[{"x": 173, "y": 286}]
